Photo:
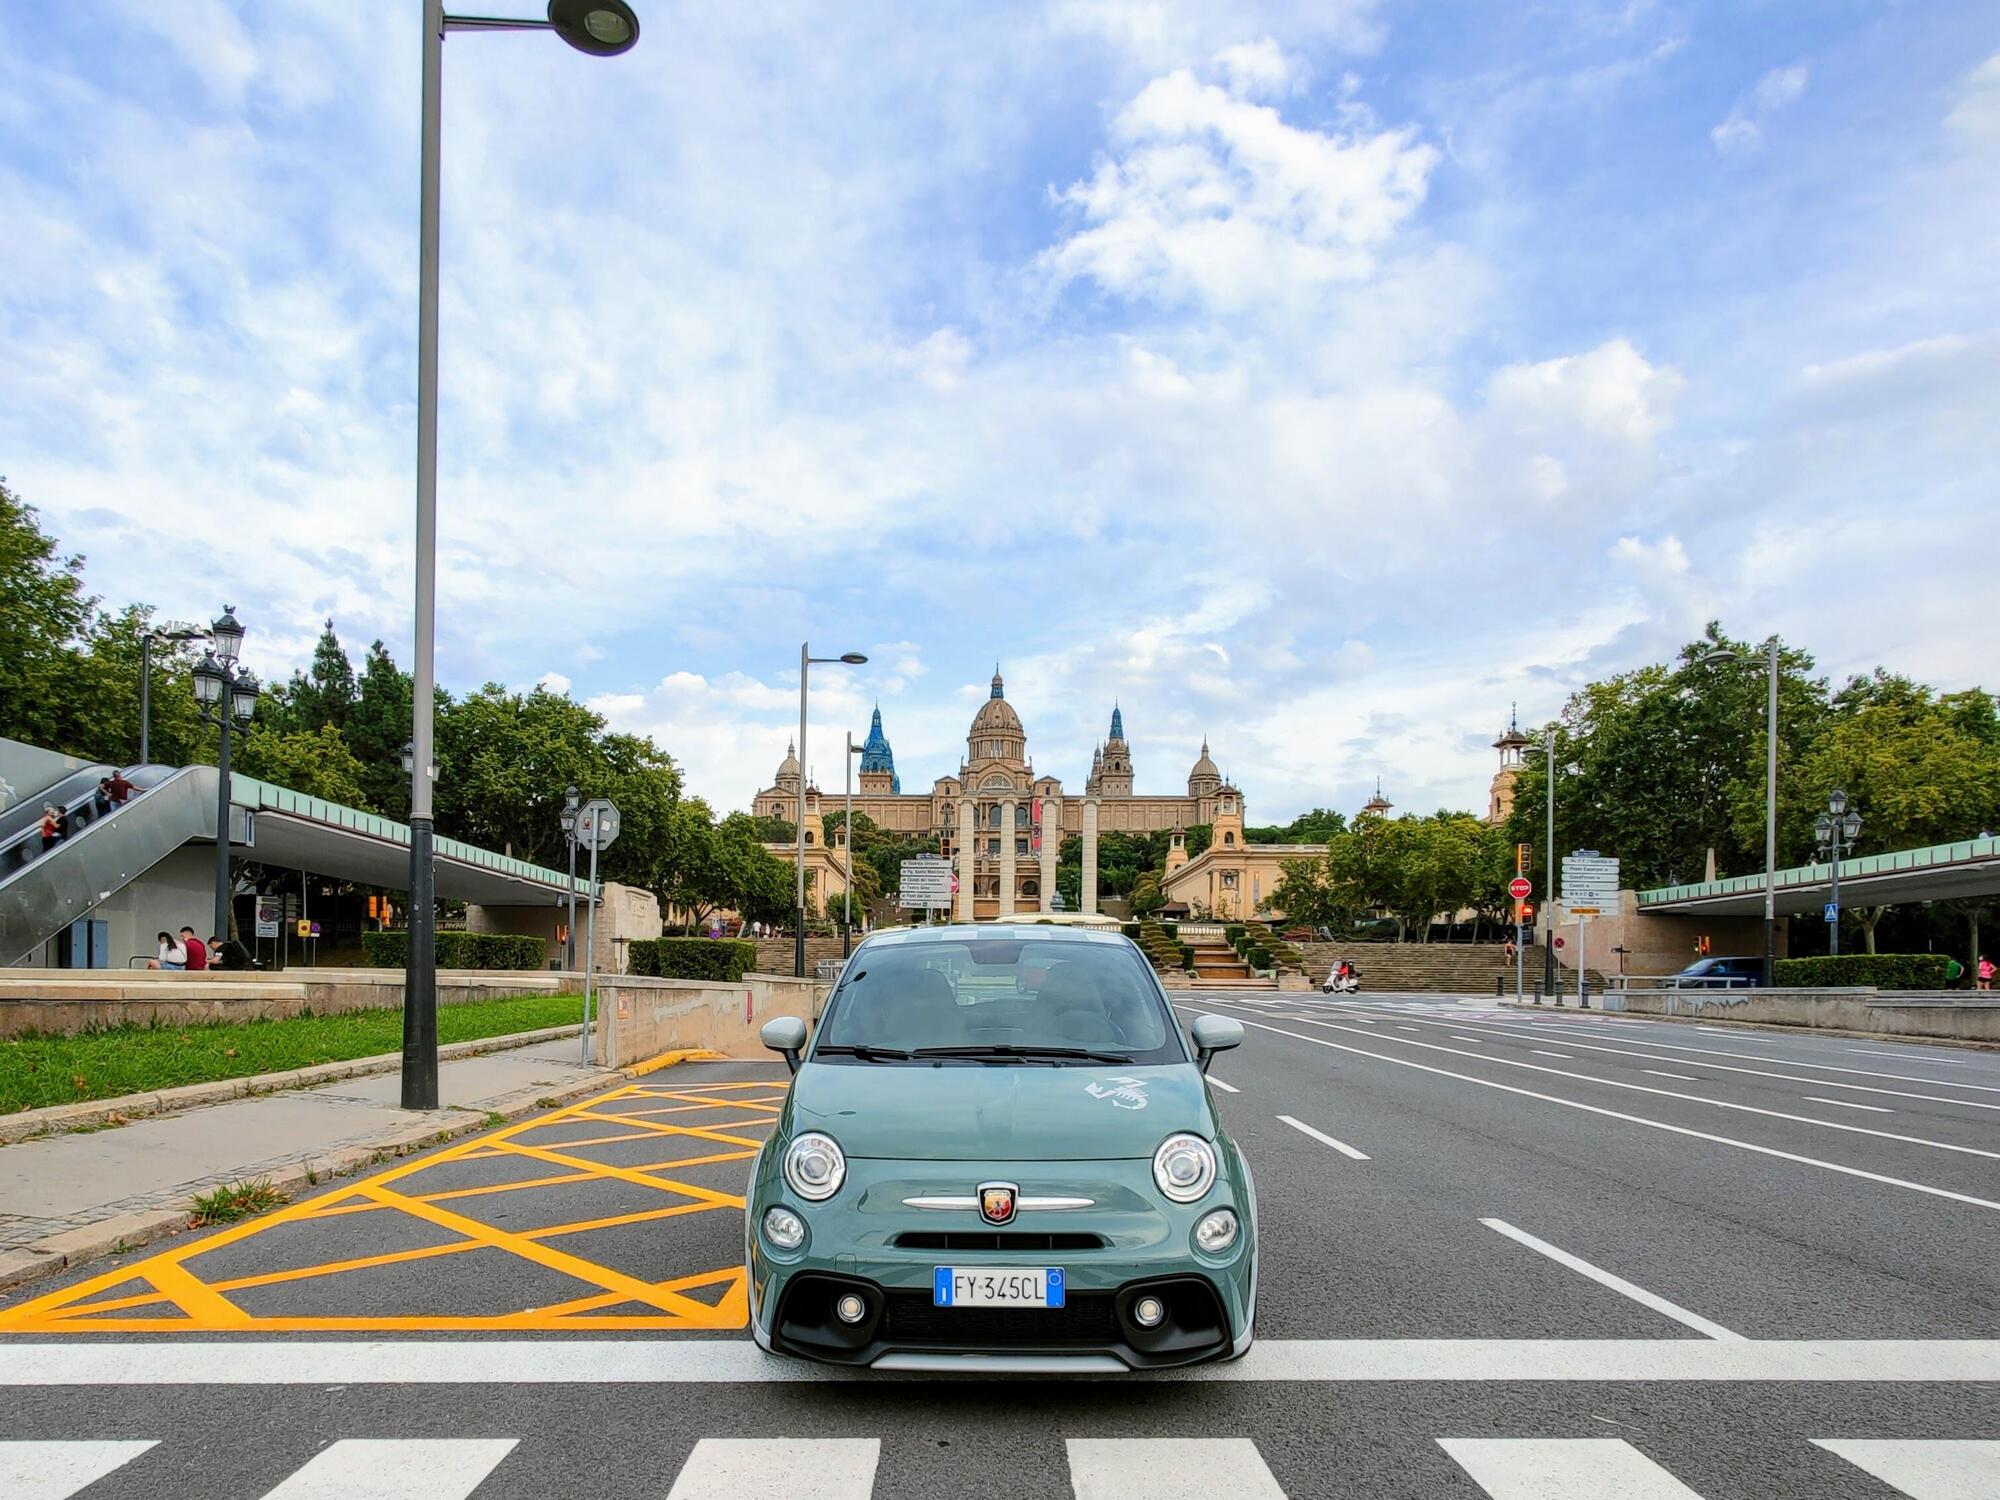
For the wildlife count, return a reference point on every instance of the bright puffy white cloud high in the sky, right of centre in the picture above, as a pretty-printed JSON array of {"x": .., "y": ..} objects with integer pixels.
[{"x": 1221, "y": 201}]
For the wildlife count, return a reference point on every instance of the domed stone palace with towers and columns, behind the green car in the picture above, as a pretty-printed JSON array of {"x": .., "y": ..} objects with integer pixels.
[{"x": 999, "y": 819}]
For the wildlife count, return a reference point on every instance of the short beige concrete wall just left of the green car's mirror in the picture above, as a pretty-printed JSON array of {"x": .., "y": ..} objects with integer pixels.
[{"x": 641, "y": 1017}]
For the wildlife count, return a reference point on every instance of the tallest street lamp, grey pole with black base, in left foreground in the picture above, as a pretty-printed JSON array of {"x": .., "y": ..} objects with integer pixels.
[{"x": 601, "y": 29}]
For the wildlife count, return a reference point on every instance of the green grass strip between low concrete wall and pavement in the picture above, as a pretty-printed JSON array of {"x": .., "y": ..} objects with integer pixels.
[{"x": 41, "y": 1071}]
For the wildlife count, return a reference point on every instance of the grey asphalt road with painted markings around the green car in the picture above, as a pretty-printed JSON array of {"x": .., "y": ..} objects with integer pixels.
[{"x": 1505, "y": 1255}]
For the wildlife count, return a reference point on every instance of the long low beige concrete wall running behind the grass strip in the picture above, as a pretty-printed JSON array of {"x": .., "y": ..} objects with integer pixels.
[{"x": 73, "y": 1001}]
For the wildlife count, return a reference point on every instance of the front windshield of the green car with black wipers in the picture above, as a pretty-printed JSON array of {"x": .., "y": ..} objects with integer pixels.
[{"x": 989, "y": 1001}]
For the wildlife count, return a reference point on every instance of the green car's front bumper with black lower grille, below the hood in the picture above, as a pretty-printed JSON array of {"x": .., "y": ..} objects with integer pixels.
[{"x": 1129, "y": 1243}]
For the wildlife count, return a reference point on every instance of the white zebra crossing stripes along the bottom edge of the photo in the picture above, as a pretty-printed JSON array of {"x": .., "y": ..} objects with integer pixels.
[{"x": 1099, "y": 1469}]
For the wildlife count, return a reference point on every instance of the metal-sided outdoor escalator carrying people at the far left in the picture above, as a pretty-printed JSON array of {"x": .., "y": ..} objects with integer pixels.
[{"x": 41, "y": 895}]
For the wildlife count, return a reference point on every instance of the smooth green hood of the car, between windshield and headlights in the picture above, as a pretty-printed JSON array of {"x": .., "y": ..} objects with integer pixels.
[{"x": 1015, "y": 1113}]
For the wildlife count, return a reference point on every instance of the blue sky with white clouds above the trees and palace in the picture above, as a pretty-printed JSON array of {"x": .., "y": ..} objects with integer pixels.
[{"x": 1319, "y": 377}]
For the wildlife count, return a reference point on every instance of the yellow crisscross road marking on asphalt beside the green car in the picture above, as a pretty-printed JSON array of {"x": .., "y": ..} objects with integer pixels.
[{"x": 679, "y": 1131}]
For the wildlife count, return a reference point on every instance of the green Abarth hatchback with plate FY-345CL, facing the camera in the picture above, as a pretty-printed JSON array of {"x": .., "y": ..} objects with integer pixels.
[{"x": 1001, "y": 1155}]
